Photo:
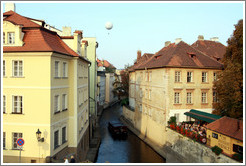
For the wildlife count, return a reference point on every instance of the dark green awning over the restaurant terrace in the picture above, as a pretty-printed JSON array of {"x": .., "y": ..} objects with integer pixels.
[{"x": 204, "y": 116}]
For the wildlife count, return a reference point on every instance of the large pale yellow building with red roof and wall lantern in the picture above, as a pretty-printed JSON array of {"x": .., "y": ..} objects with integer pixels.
[{"x": 45, "y": 88}]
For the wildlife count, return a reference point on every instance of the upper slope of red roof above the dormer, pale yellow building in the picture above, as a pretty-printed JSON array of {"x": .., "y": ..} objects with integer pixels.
[{"x": 18, "y": 19}]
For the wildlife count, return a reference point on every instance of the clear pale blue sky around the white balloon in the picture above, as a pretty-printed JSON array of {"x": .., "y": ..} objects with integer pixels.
[{"x": 144, "y": 26}]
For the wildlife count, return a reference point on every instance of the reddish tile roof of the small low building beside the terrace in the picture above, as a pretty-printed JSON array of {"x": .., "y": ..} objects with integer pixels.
[{"x": 228, "y": 126}]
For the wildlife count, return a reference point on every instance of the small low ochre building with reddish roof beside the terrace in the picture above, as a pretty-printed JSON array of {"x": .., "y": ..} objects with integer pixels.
[{"x": 226, "y": 133}]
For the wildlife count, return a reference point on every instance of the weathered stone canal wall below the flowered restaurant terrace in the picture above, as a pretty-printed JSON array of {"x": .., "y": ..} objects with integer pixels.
[{"x": 176, "y": 148}]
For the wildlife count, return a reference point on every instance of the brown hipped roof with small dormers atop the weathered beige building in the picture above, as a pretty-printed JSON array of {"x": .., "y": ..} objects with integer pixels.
[{"x": 180, "y": 55}]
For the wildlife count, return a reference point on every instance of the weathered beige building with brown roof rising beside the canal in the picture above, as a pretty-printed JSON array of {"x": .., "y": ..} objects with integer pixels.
[{"x": 169, "y": 83}]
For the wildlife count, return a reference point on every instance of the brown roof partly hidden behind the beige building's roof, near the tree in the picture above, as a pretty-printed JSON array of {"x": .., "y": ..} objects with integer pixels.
[{"x": 213, "y": 49}]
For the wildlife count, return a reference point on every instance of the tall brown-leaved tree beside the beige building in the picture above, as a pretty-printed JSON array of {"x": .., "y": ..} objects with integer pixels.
[{"x": 229, "y": 86}]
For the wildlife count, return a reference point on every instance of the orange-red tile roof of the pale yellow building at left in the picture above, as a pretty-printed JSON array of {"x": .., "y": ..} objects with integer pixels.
[{"x": 37, "y": 38}]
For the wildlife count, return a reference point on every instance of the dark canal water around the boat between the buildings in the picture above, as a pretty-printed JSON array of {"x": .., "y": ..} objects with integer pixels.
[{"x": 131, "y": 150}]
